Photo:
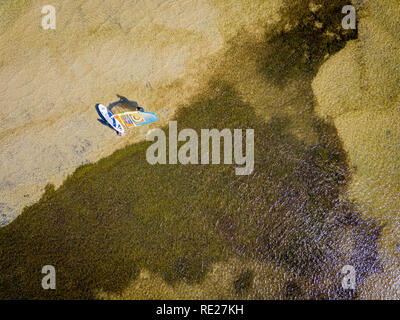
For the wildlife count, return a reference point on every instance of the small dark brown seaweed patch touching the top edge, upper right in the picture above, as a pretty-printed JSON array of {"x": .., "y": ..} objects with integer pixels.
[{"x": 308, "y": 32}]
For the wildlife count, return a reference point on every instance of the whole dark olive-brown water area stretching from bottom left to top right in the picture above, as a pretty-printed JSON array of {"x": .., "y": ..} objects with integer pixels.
[{"x": 292, "y": 216}]
